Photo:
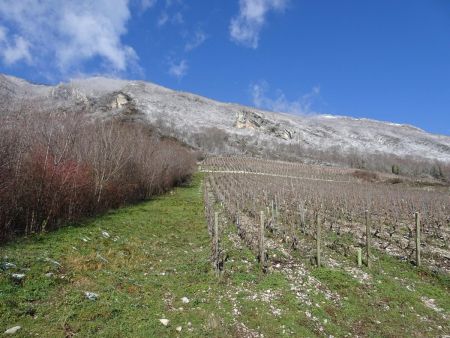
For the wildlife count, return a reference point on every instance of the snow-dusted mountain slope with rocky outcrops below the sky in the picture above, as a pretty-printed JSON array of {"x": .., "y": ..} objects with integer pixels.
[{"x": 189, "y": 114}]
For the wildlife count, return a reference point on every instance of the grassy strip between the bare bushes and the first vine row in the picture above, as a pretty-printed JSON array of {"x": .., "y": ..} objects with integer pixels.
[{"x": 140, "y": 260}]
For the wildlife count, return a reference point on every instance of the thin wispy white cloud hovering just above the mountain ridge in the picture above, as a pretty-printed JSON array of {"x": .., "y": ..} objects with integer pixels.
[{"x": 279, "y": 103}]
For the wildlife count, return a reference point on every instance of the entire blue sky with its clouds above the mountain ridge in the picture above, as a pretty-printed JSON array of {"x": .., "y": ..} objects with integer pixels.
[{"x": 381, "y": 59}]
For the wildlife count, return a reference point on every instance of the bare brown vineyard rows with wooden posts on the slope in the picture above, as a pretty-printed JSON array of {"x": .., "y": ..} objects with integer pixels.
[{"x": 308, "y": 208}]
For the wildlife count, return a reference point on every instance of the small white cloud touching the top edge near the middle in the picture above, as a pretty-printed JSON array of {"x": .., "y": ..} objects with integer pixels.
[{"x": 245, "y": 28}]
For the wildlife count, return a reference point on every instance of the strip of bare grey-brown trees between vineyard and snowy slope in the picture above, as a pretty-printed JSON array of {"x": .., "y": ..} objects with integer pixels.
[{"x": 216, "y": 141}]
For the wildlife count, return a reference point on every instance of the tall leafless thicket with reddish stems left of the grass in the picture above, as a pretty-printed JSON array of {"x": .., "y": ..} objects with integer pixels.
[{"x": 58, "y": 167}]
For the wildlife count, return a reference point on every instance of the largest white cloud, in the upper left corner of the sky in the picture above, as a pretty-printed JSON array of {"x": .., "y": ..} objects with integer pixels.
[{"x": 69, "y": 32}]
